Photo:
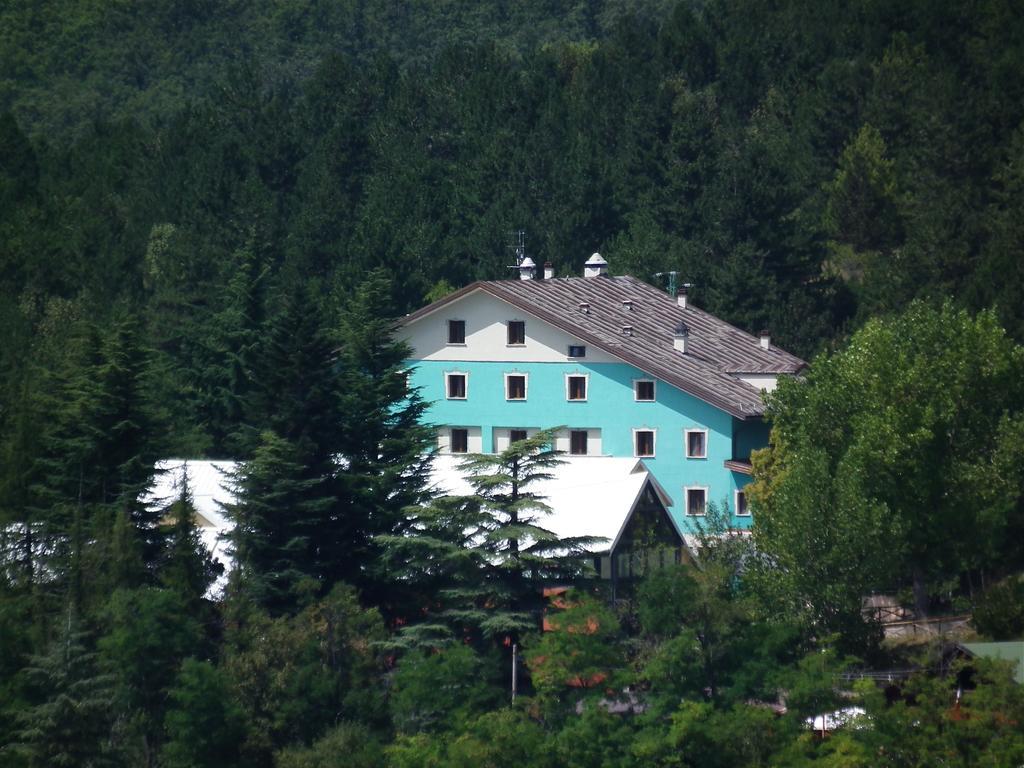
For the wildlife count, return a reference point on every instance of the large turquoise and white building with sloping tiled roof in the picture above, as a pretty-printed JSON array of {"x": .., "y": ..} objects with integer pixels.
[{"x": 495, "y": 361}]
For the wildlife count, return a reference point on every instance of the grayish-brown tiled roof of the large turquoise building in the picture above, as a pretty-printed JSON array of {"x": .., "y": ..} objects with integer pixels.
[{"x": 715, "y": 350}]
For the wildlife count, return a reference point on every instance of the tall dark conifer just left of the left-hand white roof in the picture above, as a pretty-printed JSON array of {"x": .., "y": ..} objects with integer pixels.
[{"x": 99, "y": 456}]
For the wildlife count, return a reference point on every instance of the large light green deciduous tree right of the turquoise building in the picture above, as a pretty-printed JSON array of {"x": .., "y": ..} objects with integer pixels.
[{"x": 893, "y": 464}]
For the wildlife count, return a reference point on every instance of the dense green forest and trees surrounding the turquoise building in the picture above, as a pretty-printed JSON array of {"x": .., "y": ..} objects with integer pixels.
[{"x": 210, "y": 214}]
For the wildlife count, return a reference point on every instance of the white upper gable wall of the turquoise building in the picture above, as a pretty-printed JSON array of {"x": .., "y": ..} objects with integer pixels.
[{"x": 487, "y": 335}]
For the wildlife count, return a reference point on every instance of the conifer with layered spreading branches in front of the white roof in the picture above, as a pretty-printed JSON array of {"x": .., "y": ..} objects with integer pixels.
[{"x": 489, "y": 556}]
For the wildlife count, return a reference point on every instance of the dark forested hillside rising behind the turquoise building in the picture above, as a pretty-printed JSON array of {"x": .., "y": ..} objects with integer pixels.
[{"x": 806, "y": 166}]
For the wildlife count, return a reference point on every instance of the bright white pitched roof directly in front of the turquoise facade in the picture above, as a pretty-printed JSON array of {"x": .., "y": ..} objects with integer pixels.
[{"x": 590, "y": 496}]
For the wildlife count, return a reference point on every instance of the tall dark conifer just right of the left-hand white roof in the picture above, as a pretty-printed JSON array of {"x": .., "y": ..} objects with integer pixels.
[{"x": 289, "y": 524}]
